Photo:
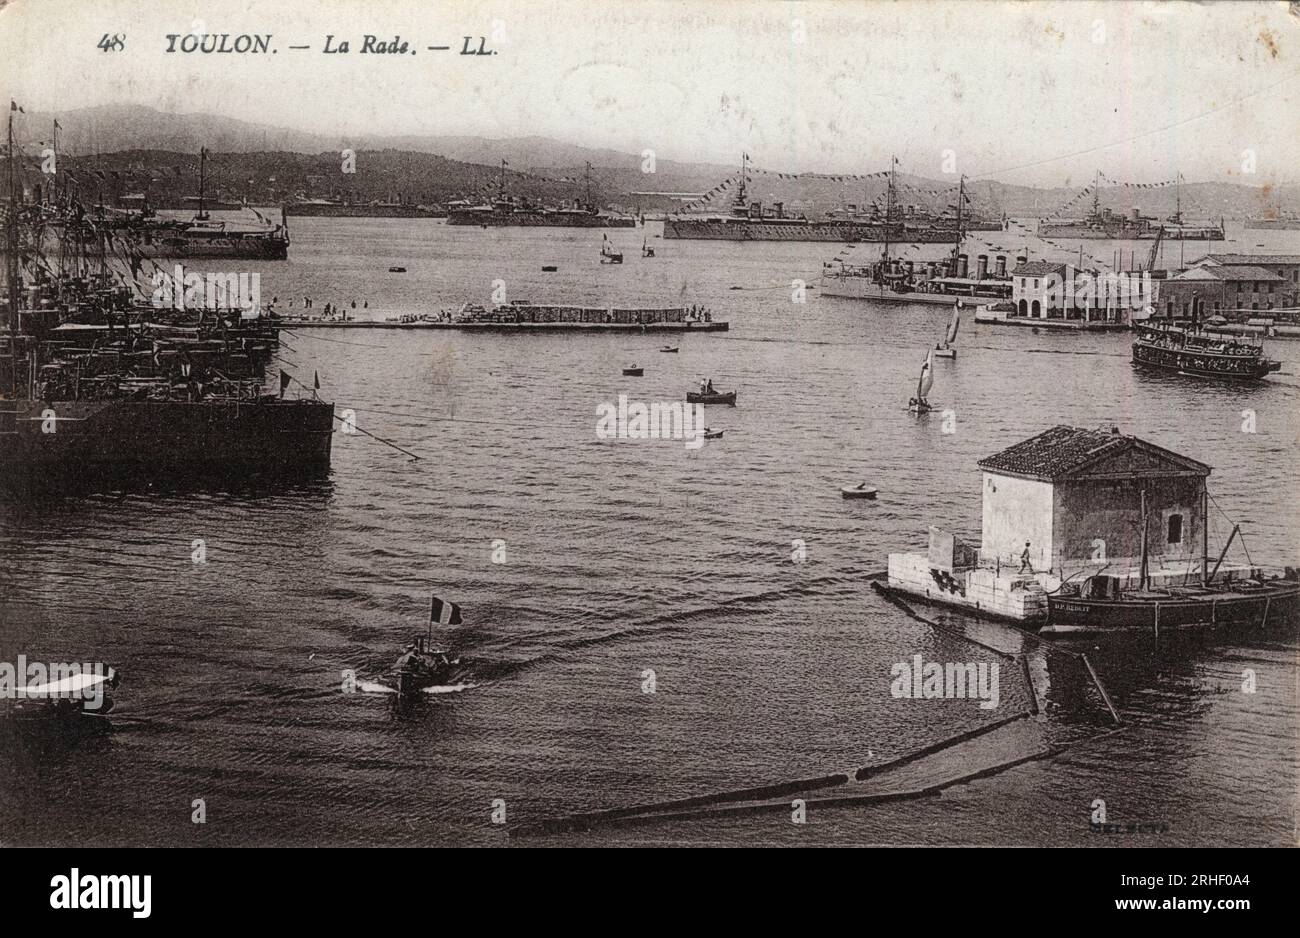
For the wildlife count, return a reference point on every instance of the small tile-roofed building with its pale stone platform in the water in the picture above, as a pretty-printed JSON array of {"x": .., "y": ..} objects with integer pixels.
[{"x": 1060, "y": 507}]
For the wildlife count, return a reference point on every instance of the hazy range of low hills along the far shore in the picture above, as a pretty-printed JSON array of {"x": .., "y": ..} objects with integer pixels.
[{"x": 157, "y": 153}]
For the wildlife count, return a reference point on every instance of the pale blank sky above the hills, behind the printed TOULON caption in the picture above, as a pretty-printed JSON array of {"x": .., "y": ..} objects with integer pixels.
[{"x": 1025, "y": 93}]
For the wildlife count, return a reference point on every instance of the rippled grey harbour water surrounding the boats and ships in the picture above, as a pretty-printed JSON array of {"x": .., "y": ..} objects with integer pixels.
[{"x": 625, "y": 558}]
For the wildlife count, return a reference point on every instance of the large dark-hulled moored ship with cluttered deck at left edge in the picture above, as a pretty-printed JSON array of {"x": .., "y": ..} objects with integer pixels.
[{"x": 97, "y": 385}]
